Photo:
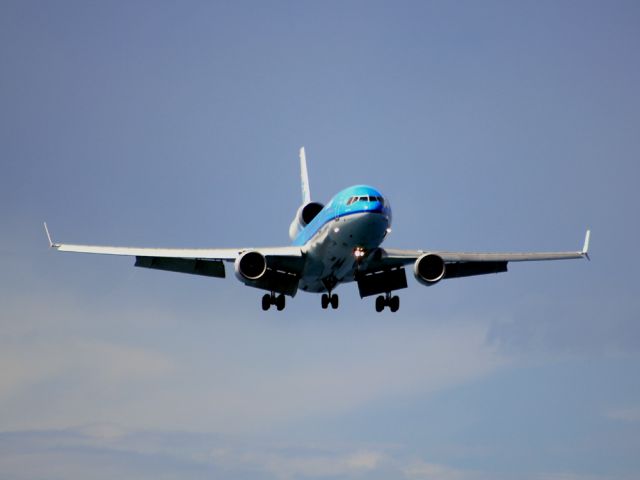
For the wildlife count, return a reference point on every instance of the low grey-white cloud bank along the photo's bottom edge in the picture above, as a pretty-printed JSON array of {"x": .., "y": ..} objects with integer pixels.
[{"x": 105, "y": 451}]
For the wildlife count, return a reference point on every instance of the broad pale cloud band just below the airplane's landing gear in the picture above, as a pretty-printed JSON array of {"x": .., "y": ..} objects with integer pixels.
[{"x": 147, "y": 368}]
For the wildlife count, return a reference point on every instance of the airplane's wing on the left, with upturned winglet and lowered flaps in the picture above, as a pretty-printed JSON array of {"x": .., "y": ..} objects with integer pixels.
[{"x": 197, "y": 261}]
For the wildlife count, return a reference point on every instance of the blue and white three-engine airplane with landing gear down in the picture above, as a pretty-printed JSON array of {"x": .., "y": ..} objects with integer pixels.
[{"x": 336, "y": 243}]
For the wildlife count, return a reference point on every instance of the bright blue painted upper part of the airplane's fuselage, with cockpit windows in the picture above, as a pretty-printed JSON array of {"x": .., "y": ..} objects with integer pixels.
[{"x": 357, "y": 201}]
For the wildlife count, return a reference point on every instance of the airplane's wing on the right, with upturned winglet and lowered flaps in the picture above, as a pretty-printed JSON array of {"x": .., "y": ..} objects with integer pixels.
[{"x": 463, "y": 264}]
